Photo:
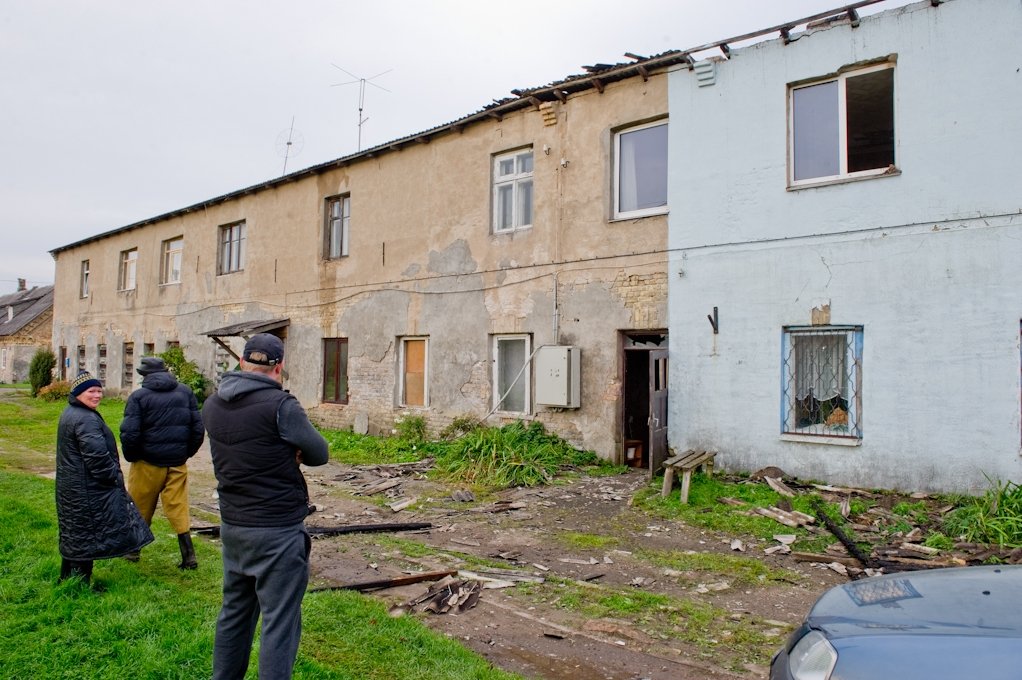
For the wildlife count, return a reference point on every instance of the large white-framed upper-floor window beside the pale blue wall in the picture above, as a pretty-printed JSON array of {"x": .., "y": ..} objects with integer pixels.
[{"x": 641, "y": 171}]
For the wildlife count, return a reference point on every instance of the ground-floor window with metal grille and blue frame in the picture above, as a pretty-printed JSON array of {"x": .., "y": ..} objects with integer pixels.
[{"x": 822, "y": 382}]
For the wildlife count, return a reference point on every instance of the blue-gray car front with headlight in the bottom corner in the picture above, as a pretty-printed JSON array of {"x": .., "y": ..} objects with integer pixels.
[{"x": 962, "y": 623}]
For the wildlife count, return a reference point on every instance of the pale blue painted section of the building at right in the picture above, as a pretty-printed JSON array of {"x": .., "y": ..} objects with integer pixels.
[{"x": 846, "y": 279}]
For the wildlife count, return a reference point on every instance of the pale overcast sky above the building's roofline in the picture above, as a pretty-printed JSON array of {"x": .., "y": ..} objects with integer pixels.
[{"x": 116, "y": 111}]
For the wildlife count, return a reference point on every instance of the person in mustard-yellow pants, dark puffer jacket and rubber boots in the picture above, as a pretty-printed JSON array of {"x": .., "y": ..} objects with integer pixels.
[{"x": 161, "y": 431}]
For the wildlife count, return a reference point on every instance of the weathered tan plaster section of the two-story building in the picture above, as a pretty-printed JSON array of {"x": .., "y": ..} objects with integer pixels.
[{"x": 512, "y": 264}]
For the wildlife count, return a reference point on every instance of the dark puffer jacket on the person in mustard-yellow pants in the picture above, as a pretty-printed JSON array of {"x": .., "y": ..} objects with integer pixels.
[{"x": 162, "y": 425}]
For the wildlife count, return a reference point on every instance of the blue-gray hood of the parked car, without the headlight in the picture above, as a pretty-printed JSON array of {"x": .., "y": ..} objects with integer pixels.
[{"x": 973, "y": 602}]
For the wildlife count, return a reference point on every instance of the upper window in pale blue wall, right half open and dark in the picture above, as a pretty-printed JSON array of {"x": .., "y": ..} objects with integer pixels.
[{"x": 844, "y": 127}]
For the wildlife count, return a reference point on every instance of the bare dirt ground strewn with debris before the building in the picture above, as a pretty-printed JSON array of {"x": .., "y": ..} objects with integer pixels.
[{"x": 528, "y": 636}]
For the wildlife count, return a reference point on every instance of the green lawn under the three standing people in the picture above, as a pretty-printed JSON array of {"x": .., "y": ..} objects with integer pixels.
[{"x": 155, "y": 621}]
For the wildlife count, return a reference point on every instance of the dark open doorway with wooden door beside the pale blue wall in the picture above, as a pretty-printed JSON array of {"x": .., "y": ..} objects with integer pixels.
[{"x": 644, "y": 423}]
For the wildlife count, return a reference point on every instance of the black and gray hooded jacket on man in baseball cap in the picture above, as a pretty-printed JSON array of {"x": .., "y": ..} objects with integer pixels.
[{"x": 256, "y": 431}]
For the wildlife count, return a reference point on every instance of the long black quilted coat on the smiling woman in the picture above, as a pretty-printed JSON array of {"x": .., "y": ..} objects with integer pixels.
[{"x": 96, "y": 516}]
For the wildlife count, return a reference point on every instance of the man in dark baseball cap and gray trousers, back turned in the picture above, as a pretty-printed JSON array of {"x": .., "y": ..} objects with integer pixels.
[{"x": 259, "y": 437}]
